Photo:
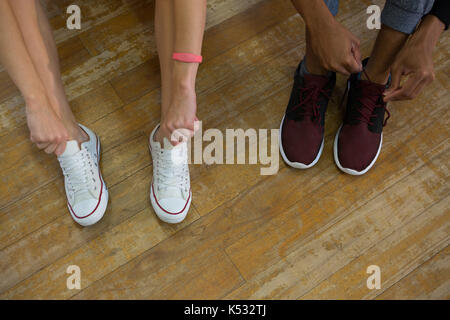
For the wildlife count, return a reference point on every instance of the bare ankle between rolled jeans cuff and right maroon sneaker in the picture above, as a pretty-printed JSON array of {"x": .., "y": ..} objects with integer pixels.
[{"x": 388, "y": 44}]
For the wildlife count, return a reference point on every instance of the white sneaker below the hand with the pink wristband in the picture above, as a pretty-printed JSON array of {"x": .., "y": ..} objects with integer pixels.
[{"x": 170, "y": 191}]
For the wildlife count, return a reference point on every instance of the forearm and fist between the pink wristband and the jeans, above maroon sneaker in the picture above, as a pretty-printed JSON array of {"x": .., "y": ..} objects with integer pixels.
[{"x": 335, "y": 46}]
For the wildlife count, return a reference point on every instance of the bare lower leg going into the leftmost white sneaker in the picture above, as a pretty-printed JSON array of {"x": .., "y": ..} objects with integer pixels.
[{"x": 38, "y": 37}]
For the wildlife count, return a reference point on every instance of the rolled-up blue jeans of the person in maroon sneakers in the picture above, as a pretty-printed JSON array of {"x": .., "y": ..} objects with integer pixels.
[{"x": 400, "y": 15}]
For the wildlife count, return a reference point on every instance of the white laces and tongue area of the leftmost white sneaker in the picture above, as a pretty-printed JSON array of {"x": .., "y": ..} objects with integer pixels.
[{"x": 78, "y": 169}]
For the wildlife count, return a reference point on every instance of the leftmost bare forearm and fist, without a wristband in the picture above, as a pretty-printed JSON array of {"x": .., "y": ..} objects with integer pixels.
[{"x": 46, "y": 128}]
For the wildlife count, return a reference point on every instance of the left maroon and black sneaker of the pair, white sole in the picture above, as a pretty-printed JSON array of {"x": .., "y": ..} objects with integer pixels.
[{"x": 301, "y": 130}]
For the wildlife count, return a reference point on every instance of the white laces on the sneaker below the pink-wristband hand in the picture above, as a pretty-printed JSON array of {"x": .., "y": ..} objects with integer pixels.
[{"x": 171, "y": 174}]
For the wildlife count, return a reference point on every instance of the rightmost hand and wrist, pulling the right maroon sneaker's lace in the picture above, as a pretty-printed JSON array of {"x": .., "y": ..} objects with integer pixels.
[{"x": 415, "y": 60}]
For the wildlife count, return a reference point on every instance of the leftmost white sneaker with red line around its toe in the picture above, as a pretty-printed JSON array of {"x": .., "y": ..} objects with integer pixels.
[{"x": 87, "y": 196}]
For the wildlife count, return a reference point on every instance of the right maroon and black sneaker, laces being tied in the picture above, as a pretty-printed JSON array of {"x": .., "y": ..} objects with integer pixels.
[{"x": 358, "y": 141}]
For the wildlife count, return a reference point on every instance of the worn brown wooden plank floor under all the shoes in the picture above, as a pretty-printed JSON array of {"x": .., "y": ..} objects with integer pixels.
[{"x": 295, "y": 235}]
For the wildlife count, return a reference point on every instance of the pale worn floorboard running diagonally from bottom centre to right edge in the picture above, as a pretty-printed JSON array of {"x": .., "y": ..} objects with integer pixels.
[{"x": 295, "y": 274}]
